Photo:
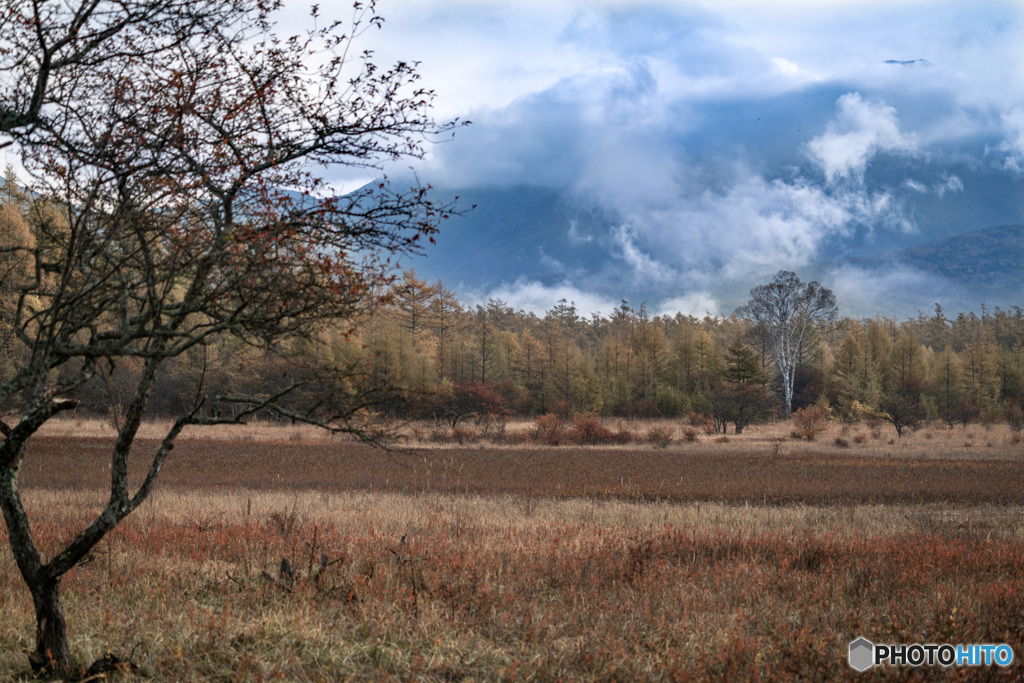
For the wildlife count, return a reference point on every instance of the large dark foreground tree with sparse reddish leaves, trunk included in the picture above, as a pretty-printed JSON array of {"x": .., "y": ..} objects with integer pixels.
[{"x": 182, "y": 139}]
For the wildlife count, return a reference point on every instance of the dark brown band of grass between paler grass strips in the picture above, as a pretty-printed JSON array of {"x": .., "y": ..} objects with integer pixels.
[{"x": 711, "y": 472}]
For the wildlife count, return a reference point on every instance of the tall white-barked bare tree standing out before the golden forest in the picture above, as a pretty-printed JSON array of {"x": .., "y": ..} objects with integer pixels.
[{"x": 785, "y": 312}]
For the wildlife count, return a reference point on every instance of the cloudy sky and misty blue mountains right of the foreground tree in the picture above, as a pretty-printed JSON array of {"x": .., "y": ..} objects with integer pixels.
[{"x": 680, "y": 153}]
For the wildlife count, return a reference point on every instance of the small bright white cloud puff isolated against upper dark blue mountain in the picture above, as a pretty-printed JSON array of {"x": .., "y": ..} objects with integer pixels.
[{"x": 861, "y": 132}]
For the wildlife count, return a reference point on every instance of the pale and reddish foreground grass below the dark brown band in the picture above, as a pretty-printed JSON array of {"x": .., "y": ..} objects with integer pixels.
[{"x": 443, "y": 588}]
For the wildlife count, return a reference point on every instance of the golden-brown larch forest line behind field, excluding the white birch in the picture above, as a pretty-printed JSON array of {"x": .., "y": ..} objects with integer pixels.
[{"x": 428, "y": 354}]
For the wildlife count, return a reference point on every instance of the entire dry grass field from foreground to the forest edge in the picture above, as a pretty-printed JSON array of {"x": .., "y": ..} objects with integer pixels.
[{"x": 706, "y": 561}]
